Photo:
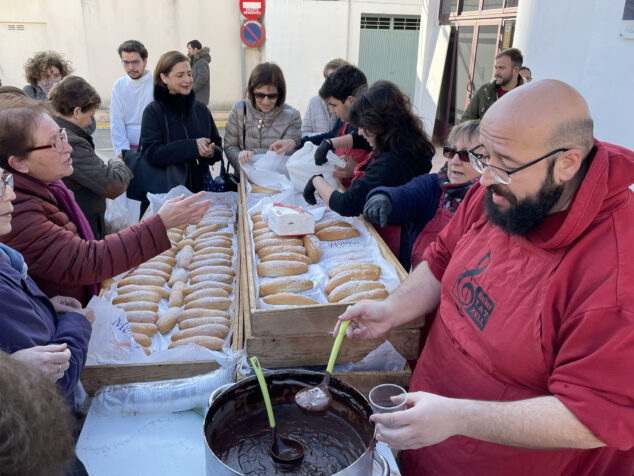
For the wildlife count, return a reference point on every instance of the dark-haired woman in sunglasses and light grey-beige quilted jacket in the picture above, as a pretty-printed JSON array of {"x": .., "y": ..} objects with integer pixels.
[{"x": 262, "y": 118}]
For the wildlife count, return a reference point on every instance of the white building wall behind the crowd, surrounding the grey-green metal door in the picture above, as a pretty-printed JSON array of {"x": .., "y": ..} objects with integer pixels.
[{"x": 303, "y": 35}]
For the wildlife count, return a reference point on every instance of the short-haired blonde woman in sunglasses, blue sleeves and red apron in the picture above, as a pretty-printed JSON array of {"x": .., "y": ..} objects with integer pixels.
[{"x": 424, "y": 205}]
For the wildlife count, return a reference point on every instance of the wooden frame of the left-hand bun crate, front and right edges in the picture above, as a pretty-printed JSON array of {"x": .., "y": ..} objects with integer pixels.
[{"x": 96, "y": 376}]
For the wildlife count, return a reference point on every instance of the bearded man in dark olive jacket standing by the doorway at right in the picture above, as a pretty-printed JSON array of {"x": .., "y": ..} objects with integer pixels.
[{"x": 506, "y": 77}]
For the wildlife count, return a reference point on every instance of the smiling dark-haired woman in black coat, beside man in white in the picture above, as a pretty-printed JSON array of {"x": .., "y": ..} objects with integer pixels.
[{"x": 179, "y": 138}]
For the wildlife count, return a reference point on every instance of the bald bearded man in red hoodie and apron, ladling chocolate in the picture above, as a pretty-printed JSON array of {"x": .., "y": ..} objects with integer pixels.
[{"x": 529, "y": 364}]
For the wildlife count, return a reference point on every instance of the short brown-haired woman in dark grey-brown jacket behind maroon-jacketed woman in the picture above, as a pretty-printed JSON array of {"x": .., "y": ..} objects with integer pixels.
[{"x": 92, "y": 180}]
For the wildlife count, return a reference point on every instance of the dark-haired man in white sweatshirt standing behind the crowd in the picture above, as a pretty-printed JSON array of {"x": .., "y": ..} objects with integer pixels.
[{"x": 130, "y": 95}]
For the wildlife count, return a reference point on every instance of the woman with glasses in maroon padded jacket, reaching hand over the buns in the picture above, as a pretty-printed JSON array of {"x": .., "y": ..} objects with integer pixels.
[{"x": 49, "y": 229}]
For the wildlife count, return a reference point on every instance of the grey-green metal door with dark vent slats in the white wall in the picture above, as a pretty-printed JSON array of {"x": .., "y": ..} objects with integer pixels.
[{"x": 388, "y": 49}]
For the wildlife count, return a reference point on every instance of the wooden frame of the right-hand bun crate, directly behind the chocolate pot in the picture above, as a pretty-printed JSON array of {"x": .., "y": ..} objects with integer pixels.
[{"x": 300, "y": 336}]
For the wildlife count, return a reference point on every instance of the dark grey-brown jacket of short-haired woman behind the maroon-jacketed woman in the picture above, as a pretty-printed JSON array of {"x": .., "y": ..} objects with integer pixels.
[{"x": 92, "y": 180}]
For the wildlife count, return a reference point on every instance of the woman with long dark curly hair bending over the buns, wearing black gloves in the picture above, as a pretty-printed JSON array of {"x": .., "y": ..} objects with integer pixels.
[{"x": 400, "y": 152}]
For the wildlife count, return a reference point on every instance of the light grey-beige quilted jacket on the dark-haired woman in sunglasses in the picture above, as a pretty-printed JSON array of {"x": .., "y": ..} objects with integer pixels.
[{"x": 262, "y": 129}]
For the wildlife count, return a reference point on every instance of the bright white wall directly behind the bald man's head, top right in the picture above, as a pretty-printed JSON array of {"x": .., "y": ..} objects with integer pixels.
[{"x": 577, "y": 41}]
